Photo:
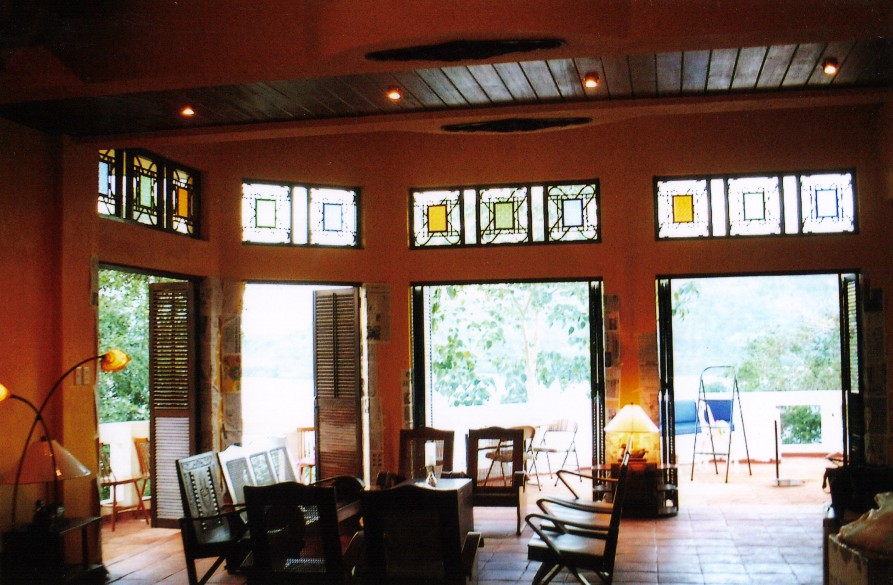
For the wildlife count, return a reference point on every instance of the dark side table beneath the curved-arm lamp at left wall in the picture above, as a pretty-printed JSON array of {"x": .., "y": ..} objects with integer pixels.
[{"x": 37, "y": 555}]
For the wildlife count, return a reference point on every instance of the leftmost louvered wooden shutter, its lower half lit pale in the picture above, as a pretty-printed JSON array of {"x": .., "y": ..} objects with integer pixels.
[{"x": 171, "y": 392}]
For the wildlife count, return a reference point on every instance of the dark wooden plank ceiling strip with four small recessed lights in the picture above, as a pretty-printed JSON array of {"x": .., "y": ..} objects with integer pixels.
[{"x": 690, "y": 74}]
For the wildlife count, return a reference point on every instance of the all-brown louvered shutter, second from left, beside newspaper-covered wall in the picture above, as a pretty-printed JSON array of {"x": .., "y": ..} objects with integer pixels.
[{"x": 336, "y": 349}]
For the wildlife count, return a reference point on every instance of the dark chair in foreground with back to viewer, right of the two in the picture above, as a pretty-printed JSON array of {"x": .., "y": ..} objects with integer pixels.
[{"x": 413, "y": 534}]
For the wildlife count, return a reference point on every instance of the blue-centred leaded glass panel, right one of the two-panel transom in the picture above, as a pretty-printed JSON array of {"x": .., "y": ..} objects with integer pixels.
[{"x": 332, "y": 218}]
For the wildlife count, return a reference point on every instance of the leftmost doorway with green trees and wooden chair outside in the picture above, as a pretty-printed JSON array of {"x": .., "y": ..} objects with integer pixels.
[{"x": 132, "y": 310}]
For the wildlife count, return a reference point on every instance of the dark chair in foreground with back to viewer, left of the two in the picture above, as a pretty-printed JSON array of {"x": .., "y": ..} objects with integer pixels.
[{"x": 295, "y": 536}]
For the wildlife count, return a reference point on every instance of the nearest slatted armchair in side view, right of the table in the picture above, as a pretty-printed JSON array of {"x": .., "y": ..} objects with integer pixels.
[{"x": 576, "y": 546}]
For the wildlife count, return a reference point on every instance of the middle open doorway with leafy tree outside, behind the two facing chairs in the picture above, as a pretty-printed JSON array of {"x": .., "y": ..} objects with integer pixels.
[{"x": 509, "y": 355}]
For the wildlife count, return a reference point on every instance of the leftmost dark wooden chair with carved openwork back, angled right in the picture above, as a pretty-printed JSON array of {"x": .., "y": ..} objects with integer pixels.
[{"x": 209, "y": 529}]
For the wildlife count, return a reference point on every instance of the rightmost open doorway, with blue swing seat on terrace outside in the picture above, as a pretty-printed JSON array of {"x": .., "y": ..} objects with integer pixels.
[{"x": 776, "y": 346}]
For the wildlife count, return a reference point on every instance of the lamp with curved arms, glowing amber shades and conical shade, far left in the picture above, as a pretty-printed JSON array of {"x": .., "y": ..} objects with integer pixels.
[{"x": 46, "y": 460}]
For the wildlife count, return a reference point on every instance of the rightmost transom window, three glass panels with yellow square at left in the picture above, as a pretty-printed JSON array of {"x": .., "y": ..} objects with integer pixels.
[{"x": 755, "y": 205}]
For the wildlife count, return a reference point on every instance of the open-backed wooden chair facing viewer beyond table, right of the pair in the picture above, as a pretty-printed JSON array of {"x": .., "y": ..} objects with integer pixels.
[{"x": 487, "y": 447}]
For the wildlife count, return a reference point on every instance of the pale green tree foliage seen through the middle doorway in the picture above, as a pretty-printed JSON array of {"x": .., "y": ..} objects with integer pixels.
[{"x": 500, "y": 341}]
